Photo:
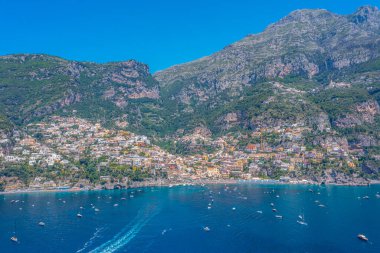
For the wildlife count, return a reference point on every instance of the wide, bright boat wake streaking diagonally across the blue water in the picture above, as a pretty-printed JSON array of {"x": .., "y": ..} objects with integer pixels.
[{"x": 129, "y": 232}]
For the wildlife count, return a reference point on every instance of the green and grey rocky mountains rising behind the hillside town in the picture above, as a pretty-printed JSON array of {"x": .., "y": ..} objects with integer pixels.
[{"x": 312, "y": 70}]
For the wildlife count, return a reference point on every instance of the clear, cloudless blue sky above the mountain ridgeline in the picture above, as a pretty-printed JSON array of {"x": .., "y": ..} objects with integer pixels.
[{"x": 160, "y": 33}]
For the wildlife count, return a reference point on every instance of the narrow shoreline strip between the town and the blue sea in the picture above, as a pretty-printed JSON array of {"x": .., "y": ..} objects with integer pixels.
[{"x": 144, "y": 184}]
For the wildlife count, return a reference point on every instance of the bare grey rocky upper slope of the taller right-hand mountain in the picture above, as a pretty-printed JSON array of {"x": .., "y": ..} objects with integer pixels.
[{"x": 305, "y": 43}]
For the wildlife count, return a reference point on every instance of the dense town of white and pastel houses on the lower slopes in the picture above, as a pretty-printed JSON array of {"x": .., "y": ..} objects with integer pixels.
[{"x": 72, "y": 153}]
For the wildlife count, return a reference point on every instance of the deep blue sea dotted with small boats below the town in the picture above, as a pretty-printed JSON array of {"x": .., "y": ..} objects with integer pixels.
[{"x": 174, "y": 220}]
